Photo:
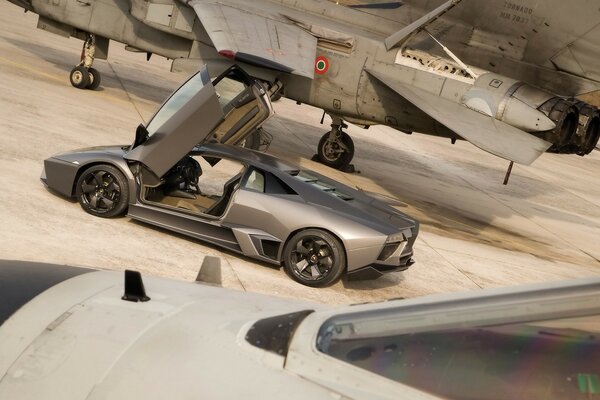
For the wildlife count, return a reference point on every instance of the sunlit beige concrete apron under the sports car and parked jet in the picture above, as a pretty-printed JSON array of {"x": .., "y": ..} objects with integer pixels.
[{"x": 475, "y": 232}]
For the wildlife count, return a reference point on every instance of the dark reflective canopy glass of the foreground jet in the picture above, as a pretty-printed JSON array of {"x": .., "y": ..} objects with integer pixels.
[{"x": 557, "y": 359}]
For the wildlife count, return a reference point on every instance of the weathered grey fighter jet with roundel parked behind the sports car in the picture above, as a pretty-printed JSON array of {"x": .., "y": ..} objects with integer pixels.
[{"x": 501, "y": 75}]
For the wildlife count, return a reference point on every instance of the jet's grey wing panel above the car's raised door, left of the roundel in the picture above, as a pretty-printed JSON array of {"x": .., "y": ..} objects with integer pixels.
[{"x": 250, "y": 34}]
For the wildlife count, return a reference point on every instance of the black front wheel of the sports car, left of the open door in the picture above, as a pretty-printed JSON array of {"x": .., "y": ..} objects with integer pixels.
[{"x": 103, "y": 191}]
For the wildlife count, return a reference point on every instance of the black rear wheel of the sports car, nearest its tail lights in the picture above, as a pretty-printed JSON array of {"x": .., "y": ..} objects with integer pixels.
[{"x": 314, "y": 258}]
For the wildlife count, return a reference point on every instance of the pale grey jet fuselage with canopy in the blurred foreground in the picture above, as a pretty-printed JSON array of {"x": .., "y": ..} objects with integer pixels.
[{"x": 76, "y": 333}]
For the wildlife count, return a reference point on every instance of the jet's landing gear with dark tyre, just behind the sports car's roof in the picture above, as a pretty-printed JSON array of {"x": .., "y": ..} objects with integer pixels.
[{"x": 336, "y": 148}]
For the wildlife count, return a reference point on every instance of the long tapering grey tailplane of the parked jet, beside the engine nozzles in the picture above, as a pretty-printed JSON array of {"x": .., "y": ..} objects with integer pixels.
[{"x": 485, "y": 132}]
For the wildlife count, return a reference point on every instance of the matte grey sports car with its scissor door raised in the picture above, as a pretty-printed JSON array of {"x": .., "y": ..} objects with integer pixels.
[{"x": 179, "y": 175}]
